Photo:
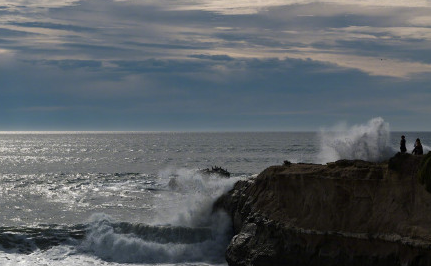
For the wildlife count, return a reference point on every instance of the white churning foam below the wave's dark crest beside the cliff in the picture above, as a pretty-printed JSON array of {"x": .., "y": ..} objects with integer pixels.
[{"x": 105, "y": 242}]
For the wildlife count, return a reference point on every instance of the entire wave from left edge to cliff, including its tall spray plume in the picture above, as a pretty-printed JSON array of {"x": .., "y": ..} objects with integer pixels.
[{"x": 186, "y": 232}]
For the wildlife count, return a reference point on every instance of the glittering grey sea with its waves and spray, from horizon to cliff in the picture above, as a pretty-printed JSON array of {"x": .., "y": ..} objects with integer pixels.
[{"x": 109, "y": 198}]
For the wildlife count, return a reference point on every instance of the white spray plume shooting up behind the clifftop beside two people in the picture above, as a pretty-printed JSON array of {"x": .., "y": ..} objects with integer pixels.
[{"x": 368, "y": 142}]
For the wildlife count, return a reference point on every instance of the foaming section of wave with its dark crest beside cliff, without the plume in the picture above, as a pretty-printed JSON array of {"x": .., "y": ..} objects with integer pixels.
[{"x": 126, "y": 243}]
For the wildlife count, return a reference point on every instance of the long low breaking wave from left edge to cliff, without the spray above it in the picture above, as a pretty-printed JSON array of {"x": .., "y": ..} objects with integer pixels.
[{"x": 120, "y": 242}]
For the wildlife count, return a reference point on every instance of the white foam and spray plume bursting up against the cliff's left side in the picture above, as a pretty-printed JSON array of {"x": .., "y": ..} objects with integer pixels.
[{"x": 189, "y": 231}]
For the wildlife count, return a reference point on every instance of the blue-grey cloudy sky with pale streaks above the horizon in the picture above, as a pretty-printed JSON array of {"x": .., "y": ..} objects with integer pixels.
[{"x": 214, "y": 65}]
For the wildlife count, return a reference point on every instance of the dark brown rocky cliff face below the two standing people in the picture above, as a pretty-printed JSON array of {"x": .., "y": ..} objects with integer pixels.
[{"x": 344, "y": 213}]
